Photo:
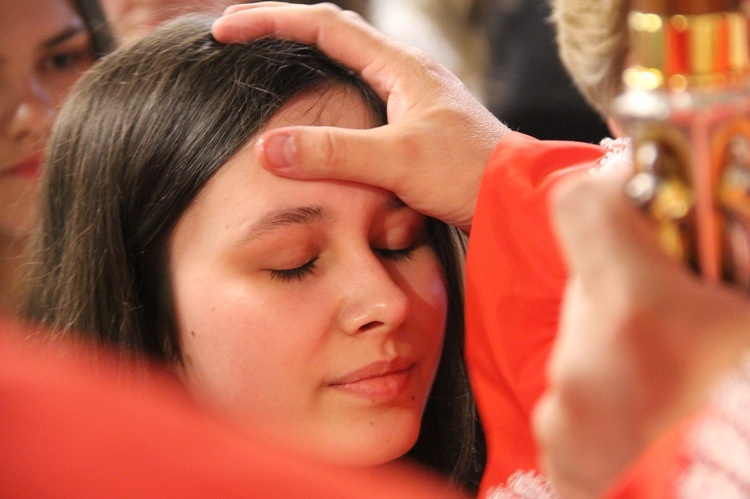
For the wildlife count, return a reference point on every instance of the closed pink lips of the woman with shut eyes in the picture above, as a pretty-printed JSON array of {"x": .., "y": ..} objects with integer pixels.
[{"x": 379, "y": 382}]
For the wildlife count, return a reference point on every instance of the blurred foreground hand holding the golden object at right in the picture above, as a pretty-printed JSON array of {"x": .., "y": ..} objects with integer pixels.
[{"x": 642, "y": 339}]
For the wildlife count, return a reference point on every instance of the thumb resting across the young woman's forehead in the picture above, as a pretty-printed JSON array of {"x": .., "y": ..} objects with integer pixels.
[{"x": 318, "y": 152}]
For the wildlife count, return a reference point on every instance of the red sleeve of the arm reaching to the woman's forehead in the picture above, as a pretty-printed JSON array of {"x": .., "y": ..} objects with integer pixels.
[{"x": 515, "y": 281}]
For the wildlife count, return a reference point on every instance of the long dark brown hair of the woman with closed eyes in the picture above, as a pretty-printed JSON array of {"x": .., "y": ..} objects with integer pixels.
[{"x": 135, "y": 143}]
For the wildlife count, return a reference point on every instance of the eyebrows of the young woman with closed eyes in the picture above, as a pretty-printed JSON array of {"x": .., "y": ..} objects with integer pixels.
[{"x": 300, "y": 215}]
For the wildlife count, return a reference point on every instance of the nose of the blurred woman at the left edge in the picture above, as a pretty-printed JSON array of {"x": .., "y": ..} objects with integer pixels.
[{"x": 31, "y": 113}]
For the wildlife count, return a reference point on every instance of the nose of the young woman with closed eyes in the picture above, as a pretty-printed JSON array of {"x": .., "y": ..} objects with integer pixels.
[{"x": 374, "y": 298}]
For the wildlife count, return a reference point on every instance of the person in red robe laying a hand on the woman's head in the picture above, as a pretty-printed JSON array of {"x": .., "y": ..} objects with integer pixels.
[{"x": 513, "y": 311}]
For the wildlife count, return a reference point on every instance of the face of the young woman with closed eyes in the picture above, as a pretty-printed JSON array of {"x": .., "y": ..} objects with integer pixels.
[{"x": 312, "y": 310}]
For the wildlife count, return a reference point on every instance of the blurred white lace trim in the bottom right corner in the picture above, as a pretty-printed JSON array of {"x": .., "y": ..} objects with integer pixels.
[{"x": 719, "y": 444}]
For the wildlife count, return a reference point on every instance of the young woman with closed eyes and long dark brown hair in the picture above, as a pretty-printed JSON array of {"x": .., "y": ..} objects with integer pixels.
[{"x": 326, "y": 312}]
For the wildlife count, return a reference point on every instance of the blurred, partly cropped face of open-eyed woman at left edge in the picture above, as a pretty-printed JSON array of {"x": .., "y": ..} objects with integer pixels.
[{"x": 44, "y": 47}]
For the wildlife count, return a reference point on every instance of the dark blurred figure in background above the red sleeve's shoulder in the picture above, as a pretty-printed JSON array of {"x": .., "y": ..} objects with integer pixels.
[{"x": 526, "y": 85}]
